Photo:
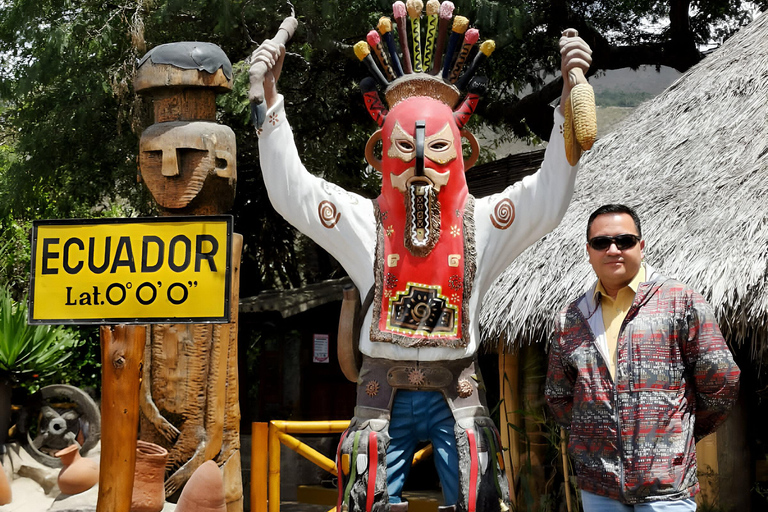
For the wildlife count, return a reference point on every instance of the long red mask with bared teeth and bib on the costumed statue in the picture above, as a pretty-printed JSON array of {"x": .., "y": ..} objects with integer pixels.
[{"x": 425, "y": 238}]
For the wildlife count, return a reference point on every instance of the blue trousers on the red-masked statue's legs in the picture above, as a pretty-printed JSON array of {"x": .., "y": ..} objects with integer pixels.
[{"x": 422, "y": 416}]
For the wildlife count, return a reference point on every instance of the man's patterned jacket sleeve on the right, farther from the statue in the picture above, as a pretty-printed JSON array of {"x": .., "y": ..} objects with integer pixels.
[{"x": 710, "y": 363}]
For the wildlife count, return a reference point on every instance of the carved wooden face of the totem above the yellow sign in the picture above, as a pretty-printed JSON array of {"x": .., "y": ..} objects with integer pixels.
[{"x": 189, "y": 167}]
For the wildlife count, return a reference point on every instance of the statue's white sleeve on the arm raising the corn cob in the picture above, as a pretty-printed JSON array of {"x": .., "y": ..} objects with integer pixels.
[{"x": 510, "y": 221}]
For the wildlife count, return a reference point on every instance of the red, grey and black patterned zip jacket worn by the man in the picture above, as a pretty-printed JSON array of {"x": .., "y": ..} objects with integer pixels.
[{"x": 633, "y": 440}]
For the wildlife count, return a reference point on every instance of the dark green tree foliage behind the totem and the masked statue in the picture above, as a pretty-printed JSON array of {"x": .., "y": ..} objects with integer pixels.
[{"x": 70, "y": 120}]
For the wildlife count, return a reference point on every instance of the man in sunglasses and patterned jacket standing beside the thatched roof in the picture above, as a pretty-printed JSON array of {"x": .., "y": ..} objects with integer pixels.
[{"x": 638, "y": 372}]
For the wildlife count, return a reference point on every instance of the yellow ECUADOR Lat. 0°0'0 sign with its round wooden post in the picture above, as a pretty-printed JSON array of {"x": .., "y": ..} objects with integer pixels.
[{"x": 133, "y": 271}]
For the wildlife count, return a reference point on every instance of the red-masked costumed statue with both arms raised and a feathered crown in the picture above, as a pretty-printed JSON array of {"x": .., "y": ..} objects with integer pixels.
[{"x": 423, "y": 254}]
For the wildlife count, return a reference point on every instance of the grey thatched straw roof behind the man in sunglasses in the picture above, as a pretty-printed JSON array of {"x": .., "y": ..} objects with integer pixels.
[{"x": 694, "y": 162}]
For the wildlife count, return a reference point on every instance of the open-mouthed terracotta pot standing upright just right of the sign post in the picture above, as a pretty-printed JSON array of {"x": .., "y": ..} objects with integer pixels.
[{"x": 149, "y": 477}]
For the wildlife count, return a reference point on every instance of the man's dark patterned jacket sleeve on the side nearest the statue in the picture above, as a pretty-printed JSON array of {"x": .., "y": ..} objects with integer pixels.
[{"x": 561, "y": 379}]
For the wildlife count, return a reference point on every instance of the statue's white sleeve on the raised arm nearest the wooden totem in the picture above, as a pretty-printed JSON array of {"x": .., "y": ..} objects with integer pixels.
[{"x": 341, "y": 222}]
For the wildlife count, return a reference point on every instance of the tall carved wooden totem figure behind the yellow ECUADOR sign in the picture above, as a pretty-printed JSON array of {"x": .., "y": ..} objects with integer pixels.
[{"x": 189, "y": 390}]
